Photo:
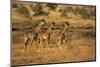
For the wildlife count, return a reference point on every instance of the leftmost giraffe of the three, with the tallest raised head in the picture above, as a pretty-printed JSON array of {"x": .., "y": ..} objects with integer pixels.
[{"x": 32, "y": 35}]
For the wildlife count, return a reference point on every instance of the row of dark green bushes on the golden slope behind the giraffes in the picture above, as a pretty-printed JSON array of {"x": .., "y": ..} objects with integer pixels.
[{"x": 84, "y": 12}]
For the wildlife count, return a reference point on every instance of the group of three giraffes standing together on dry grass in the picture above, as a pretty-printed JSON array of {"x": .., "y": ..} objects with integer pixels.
[{"x": 42, "y": 37}]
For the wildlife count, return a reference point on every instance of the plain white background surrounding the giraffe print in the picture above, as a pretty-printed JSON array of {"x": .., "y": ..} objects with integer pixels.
[{"x": 5, "y": 33}]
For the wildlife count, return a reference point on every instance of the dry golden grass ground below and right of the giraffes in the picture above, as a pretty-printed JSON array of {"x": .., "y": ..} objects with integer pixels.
[{"x": 79, "y": 47}]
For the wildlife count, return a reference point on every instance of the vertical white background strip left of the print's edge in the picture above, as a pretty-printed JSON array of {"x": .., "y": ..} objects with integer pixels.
[{"x": 4, "y": 33}]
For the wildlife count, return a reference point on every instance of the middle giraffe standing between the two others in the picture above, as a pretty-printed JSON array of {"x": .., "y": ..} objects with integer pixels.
[{"x": 45, "y": 35}]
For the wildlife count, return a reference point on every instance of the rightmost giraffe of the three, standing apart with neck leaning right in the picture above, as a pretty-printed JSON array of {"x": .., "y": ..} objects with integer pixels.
[{"x": 61, "y": 34}]
